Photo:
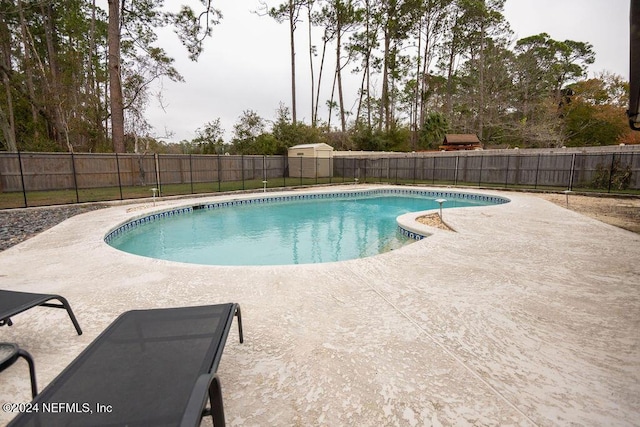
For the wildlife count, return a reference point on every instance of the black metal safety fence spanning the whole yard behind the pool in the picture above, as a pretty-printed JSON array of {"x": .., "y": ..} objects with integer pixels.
[{"x": 38, "y": 179}]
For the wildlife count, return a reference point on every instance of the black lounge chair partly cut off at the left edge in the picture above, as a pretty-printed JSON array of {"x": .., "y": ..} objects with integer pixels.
[{"x": 12, "y": 303}]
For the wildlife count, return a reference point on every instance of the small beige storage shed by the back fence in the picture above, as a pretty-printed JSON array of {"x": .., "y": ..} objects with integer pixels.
[{"x": 311, "y": 161}]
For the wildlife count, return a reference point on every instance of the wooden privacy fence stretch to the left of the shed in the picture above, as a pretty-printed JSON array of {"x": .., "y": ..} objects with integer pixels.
[{"x": 56, "y": 171}]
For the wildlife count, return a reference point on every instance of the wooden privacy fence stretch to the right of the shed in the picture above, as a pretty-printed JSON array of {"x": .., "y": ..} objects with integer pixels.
[{"x": 611, "y": 172}]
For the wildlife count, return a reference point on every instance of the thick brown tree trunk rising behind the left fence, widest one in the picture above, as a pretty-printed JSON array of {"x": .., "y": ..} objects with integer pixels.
[{"x": 115, "y": 83}]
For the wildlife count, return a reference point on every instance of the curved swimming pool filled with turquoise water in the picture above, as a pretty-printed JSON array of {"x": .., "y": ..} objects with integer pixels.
[{"x": 294, "y": 229}]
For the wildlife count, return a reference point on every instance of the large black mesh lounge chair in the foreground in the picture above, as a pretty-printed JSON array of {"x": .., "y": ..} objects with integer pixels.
[{"x": 148, "y": 368}]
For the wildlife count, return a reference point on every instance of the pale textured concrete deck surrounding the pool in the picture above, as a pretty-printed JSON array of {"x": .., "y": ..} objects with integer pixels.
[{"x": 528, "y": 314}]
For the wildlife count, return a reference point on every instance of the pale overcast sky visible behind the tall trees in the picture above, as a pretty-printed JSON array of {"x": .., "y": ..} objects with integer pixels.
[{"x": 245, "y": 65}]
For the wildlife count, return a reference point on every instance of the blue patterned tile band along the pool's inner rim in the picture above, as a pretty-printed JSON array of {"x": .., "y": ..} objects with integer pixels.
[{"x": 408, "y": 232}]
